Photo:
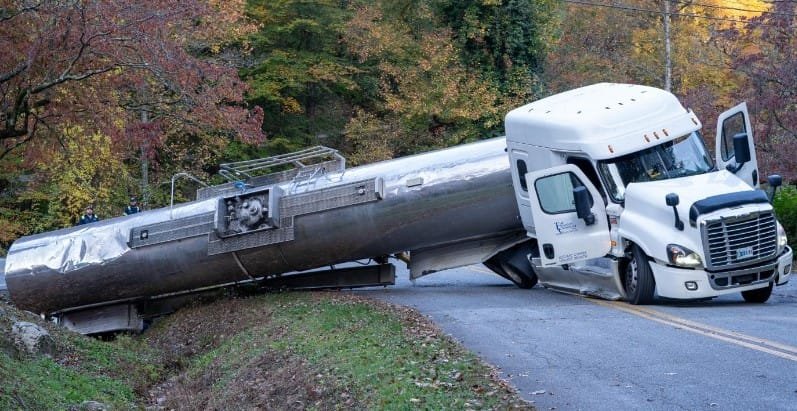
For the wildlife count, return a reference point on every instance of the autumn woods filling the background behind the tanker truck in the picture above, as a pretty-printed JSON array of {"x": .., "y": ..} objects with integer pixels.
[{"x": 103, "y": 100}]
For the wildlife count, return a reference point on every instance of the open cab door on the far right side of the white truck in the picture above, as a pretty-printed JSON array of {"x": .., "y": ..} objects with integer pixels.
[{"x": 729, "y": 124}]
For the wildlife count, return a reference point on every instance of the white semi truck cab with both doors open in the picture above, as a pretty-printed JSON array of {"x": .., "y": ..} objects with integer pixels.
[{"x": 617, "y": 187}]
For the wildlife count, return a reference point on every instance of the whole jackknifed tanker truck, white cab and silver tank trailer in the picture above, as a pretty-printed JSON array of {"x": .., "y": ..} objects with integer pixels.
[{"x": 606, "y": 190}]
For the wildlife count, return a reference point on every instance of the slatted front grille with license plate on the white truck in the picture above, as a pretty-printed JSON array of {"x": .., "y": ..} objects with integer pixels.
[{"x": 739, "y": 241}]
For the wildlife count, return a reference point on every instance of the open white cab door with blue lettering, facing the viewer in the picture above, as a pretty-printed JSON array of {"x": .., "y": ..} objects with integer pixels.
[{"x": 562, "y": 236}]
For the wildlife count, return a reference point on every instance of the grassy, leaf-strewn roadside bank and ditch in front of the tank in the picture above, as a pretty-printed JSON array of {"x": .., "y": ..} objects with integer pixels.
[{"x": 275, "y": 351}]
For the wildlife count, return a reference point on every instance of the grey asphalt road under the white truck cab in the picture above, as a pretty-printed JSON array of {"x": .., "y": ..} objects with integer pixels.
[{"x": 569, "y": 352}]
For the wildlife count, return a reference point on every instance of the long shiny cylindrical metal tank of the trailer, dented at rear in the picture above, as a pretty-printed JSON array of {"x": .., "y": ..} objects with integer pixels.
[{"x": 423, "y": 202}]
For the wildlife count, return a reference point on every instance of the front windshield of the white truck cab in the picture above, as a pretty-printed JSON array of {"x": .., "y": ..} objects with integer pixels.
[{"x": 681, "y": 157}]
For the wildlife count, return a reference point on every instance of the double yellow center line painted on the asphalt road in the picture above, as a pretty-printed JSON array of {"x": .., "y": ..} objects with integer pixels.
[{"x": 755, "y": 343}]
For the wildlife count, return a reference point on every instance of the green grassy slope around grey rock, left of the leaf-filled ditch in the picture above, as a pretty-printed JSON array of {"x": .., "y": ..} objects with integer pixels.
[{"x": 82, "y": 369}]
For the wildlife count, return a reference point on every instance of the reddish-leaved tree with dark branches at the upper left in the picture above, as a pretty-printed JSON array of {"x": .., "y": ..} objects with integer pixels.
[{"x": 137, "y": 73}]
